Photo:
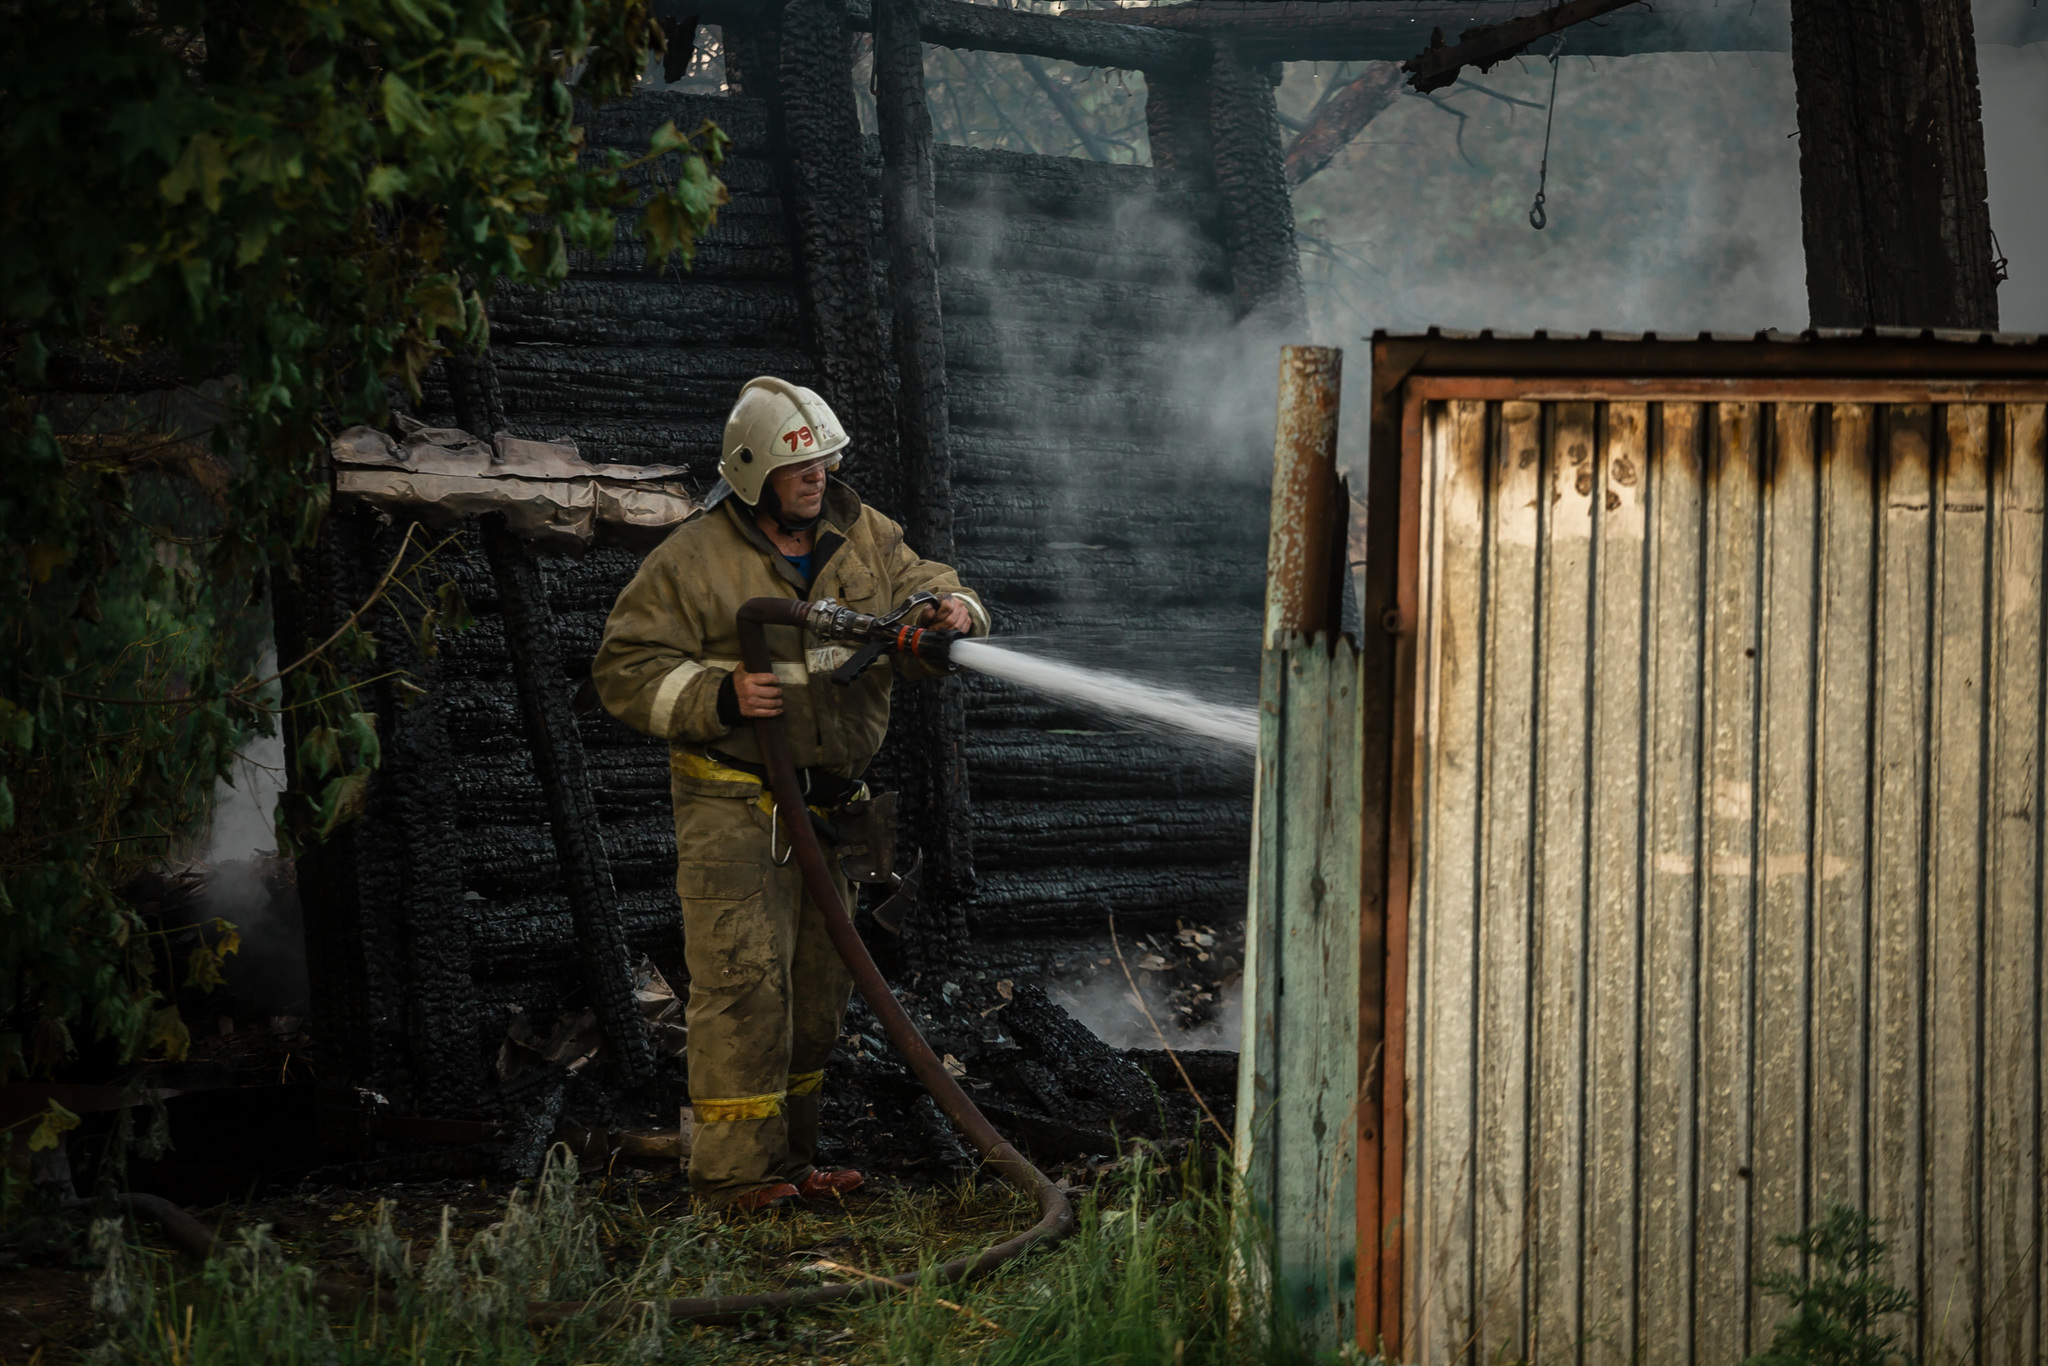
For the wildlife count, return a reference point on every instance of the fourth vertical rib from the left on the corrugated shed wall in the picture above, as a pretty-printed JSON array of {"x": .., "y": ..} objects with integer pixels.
[{"x": 1617, "y": 890}]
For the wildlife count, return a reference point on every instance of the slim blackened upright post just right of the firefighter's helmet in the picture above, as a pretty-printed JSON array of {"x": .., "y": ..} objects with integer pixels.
[{"x": 933, "y": 718}]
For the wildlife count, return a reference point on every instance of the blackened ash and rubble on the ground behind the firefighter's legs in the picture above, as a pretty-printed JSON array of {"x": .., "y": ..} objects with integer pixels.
[{"x": 1046, "y": 1035}]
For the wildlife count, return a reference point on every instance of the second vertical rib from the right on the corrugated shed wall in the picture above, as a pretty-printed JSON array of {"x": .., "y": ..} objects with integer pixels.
[{"x": 1957, "y": 826}]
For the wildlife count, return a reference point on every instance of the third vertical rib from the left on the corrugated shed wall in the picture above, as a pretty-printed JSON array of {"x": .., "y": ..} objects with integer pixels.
[{"x": 1558, "y": 947}]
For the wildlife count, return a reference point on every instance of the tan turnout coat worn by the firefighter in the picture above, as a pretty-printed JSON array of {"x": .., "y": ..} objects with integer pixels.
[{"x": 671, "y": 640}]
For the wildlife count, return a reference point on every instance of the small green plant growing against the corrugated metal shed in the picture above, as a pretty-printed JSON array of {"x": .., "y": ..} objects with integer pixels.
[{"x": 1838, "y": 1301}]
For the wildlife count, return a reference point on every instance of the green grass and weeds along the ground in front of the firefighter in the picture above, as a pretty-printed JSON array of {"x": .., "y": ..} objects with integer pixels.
[{"x": 1146, "y": 1281}]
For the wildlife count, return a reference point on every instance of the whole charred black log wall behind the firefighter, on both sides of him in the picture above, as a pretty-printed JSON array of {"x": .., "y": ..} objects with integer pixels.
[{"x": 1091, "y": 486}]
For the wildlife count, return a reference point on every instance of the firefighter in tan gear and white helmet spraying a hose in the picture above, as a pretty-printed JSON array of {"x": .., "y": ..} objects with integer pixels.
[{"x": 767, "y": 988}]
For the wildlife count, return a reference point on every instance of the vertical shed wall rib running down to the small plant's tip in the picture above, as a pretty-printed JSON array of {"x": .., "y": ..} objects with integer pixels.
[{"x": 1842, "y": 816}]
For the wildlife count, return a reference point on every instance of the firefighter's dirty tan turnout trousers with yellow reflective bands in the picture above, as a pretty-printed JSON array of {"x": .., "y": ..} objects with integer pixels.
[{"x": 767, "y": 994}]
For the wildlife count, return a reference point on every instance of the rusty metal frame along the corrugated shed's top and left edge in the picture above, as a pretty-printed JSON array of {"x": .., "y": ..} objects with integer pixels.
[{"x": 1406, "y": 376}]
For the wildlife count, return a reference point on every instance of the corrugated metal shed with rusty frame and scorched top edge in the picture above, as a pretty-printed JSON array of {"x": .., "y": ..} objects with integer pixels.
[{"x": 1713, "y": 785}]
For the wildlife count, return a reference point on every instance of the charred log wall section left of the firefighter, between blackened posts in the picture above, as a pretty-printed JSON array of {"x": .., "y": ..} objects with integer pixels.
[{"x": 636, "y": 368}]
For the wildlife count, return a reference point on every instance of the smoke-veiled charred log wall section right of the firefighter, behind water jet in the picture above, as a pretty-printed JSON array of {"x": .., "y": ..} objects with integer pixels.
[{"x": 1101, "y": 497}]
